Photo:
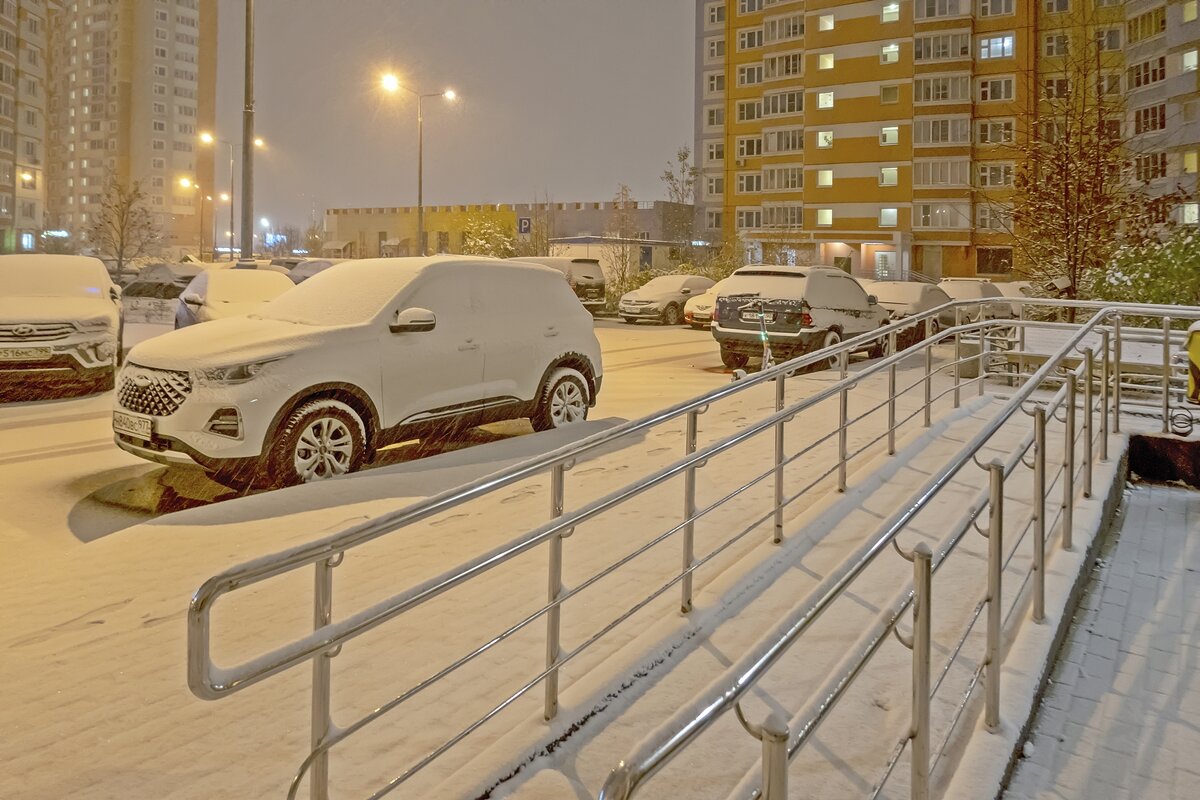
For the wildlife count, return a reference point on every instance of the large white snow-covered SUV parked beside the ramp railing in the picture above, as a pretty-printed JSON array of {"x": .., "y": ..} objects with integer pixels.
[{"x": 358, "y": 357}]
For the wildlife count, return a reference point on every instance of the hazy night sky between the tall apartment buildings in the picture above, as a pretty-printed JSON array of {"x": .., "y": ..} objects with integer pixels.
[{"x": 562, "y": 97}]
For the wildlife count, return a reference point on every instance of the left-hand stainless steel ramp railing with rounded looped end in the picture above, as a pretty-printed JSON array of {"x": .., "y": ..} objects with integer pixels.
[{"x": 328, "y": 637}]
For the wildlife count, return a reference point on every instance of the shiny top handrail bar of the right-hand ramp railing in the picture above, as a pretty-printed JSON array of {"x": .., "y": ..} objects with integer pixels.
[{"x": 727, "y": 693}]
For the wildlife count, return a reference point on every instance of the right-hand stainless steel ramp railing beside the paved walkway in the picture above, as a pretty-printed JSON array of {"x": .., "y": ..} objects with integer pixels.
[{"x": 785, "y": 742}]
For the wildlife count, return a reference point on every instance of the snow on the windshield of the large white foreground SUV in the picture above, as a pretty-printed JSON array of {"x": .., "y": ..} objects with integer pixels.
[{"x": 352, "y": 294}]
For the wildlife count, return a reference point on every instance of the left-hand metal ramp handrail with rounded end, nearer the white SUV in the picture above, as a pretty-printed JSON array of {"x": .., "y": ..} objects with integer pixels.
[{"x": 212, "y": 683}]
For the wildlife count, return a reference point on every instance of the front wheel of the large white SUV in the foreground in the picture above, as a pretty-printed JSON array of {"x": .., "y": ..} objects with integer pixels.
[{"x": 321, "y": 440}]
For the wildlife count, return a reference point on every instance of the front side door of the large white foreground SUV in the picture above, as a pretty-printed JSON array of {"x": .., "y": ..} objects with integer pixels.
[{"x": 435, "y": 375}]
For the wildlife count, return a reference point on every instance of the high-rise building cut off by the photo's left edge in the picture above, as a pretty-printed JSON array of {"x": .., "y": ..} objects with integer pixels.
[{"x": 22, "y": 124}]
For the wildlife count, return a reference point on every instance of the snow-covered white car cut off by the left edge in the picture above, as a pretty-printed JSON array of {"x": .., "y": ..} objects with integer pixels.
[{"x": 61, "y": 321}]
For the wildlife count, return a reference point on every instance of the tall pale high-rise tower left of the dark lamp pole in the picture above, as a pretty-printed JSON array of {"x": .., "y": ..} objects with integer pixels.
[{"x": 133, "y": 85}]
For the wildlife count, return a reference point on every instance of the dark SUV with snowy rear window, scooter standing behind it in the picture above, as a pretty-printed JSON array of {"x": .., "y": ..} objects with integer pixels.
[{"x": 801, "y": 309}]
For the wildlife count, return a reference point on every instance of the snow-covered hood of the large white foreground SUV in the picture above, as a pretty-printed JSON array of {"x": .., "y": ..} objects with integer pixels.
[{"x": 239, "y": 340}]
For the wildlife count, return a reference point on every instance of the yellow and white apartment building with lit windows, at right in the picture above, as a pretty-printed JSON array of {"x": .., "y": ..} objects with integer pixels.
[{"x": 878, "y": 136}]
